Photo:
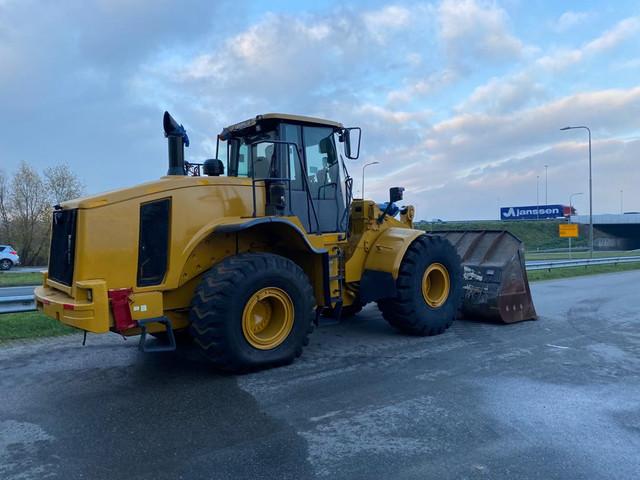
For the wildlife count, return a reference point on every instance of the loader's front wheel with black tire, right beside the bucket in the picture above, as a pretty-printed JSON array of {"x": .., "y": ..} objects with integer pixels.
[{"x": 426, "y": 307}]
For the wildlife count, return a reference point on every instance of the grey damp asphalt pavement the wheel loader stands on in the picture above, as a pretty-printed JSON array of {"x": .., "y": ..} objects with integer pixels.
[{"x": 553, "y": 398}]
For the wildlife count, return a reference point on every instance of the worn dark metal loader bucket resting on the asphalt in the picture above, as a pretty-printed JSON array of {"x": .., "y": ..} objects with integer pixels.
[{"x": 495, "y": 285}]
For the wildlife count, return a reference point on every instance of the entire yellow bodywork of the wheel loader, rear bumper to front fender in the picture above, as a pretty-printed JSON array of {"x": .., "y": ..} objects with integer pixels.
[{"x": 211, "y": 218}]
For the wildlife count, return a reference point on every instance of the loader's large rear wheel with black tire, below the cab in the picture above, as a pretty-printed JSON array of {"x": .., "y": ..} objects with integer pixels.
[{"x": 253, "y": 310}]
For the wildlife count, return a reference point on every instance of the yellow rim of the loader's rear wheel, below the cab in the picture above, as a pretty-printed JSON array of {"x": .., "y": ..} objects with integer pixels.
[{"x": 267, "y": 318}]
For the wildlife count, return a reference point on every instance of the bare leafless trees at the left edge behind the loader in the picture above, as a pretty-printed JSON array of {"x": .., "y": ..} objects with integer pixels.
[{"x": 26, "y": 203}]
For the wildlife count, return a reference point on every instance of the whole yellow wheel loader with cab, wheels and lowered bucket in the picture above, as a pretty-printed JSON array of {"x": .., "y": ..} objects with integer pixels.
[{"x": 242, "y": 253}]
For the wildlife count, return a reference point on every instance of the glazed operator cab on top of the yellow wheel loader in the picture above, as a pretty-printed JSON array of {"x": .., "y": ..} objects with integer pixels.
[{"x": 300, "y": 162}]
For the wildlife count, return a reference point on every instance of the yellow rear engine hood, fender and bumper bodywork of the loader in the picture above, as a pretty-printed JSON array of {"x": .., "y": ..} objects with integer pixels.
[{"x": 106, "y": 254}]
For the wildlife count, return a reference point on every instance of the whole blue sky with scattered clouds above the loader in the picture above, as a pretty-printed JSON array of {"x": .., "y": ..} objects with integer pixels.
[{"x": 460, "y": 101}]
